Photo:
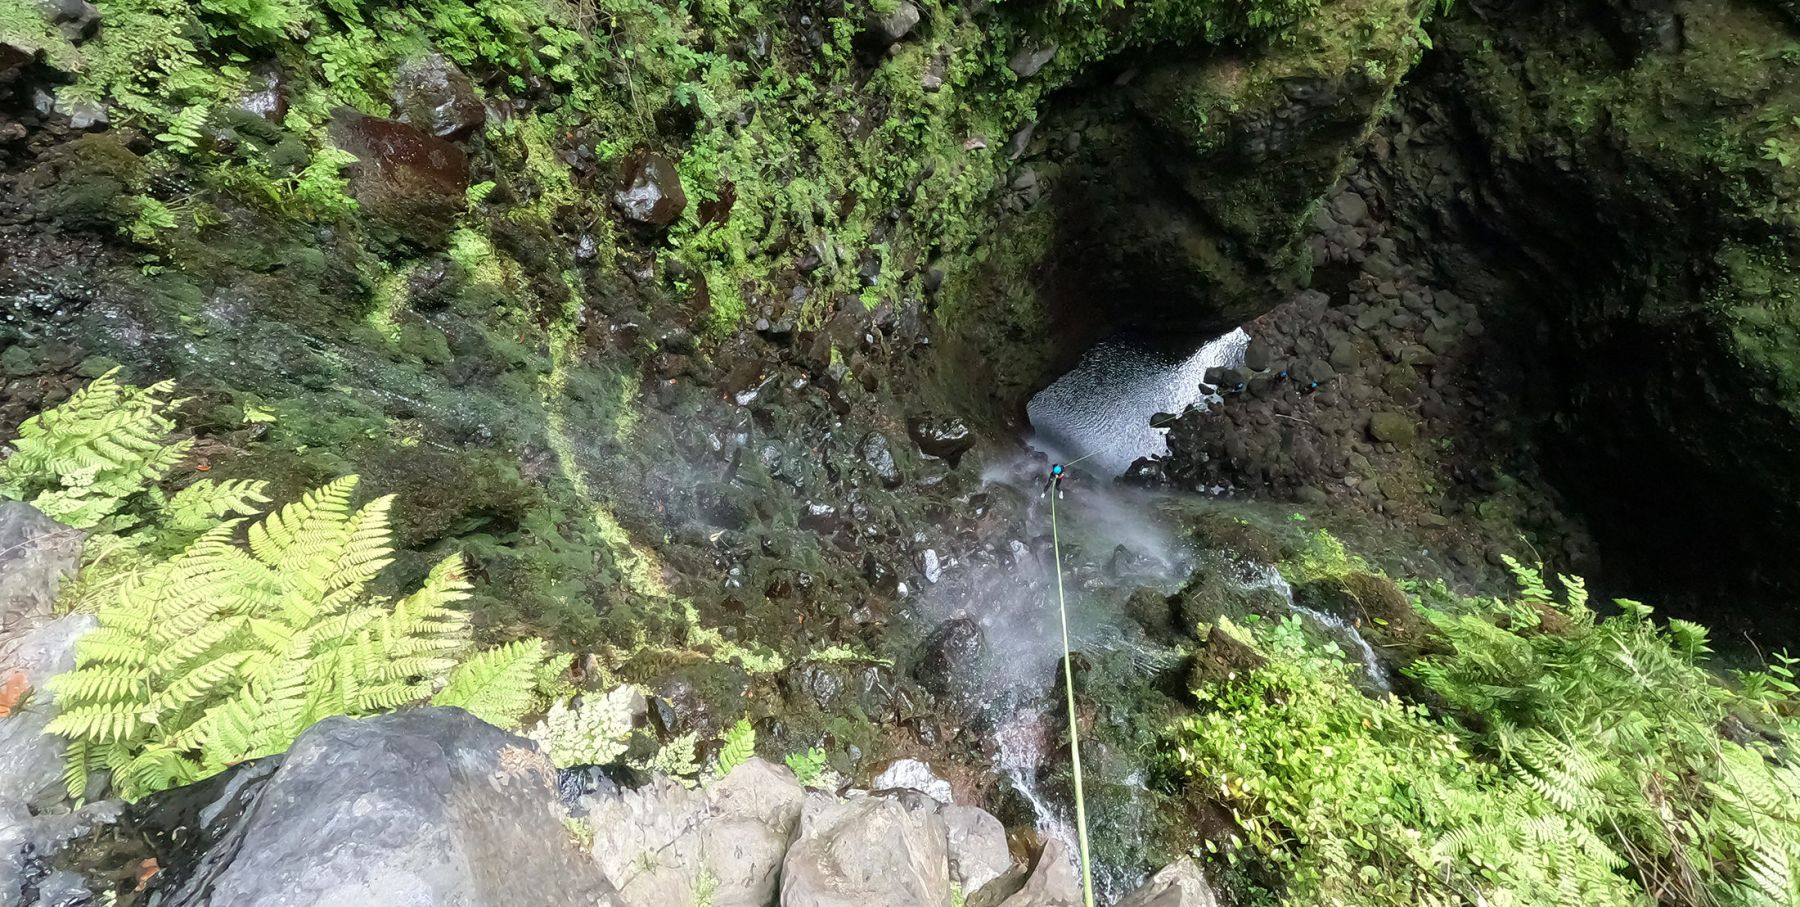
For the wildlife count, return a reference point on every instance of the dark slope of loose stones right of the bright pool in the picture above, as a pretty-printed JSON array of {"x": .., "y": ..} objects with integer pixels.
[{"x": 1381, "y": 390}]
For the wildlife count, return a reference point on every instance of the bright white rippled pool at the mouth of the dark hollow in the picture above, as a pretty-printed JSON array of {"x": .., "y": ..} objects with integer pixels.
[{"x": 1102, "y": 408}]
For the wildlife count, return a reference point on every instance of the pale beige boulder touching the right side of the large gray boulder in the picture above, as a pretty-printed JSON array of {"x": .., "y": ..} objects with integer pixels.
[{"x": 665, "y": 843}]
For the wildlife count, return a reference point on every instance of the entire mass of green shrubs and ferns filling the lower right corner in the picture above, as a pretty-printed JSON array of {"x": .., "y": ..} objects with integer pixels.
[{"x": 1563, "y": 760}]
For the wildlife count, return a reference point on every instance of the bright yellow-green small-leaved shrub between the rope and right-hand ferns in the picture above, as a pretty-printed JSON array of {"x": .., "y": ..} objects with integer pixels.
[{"x": 1372, "y": 802}]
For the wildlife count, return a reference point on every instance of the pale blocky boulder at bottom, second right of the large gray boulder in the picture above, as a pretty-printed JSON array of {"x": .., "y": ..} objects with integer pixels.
[{"x": 868, "y": 852}]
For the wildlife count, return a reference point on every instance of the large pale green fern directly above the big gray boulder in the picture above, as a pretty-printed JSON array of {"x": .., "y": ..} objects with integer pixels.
[{"x": 224, "y": 654}]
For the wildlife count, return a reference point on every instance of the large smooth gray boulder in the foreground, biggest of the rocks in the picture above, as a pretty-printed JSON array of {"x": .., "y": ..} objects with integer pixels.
[{"x": 420, "y": 809}]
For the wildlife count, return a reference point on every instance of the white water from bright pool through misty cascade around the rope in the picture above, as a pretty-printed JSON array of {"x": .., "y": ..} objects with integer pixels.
[{"x": 1099, "y": 415}]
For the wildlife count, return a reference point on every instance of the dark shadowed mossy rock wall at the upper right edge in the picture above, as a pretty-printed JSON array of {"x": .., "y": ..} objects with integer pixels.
[{"x": 1608, "y": 184}]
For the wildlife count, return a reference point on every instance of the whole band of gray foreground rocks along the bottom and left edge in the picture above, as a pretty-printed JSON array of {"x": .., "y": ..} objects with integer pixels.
[{"x": 436, "y": 807}]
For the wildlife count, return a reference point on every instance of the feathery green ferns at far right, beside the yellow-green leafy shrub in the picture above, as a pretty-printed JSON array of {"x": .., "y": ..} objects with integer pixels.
[{"x": 1617, "y": 723}]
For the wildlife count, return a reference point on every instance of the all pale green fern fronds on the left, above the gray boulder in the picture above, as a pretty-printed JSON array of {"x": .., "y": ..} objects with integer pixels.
[{"x": 224, "y": 652}]
